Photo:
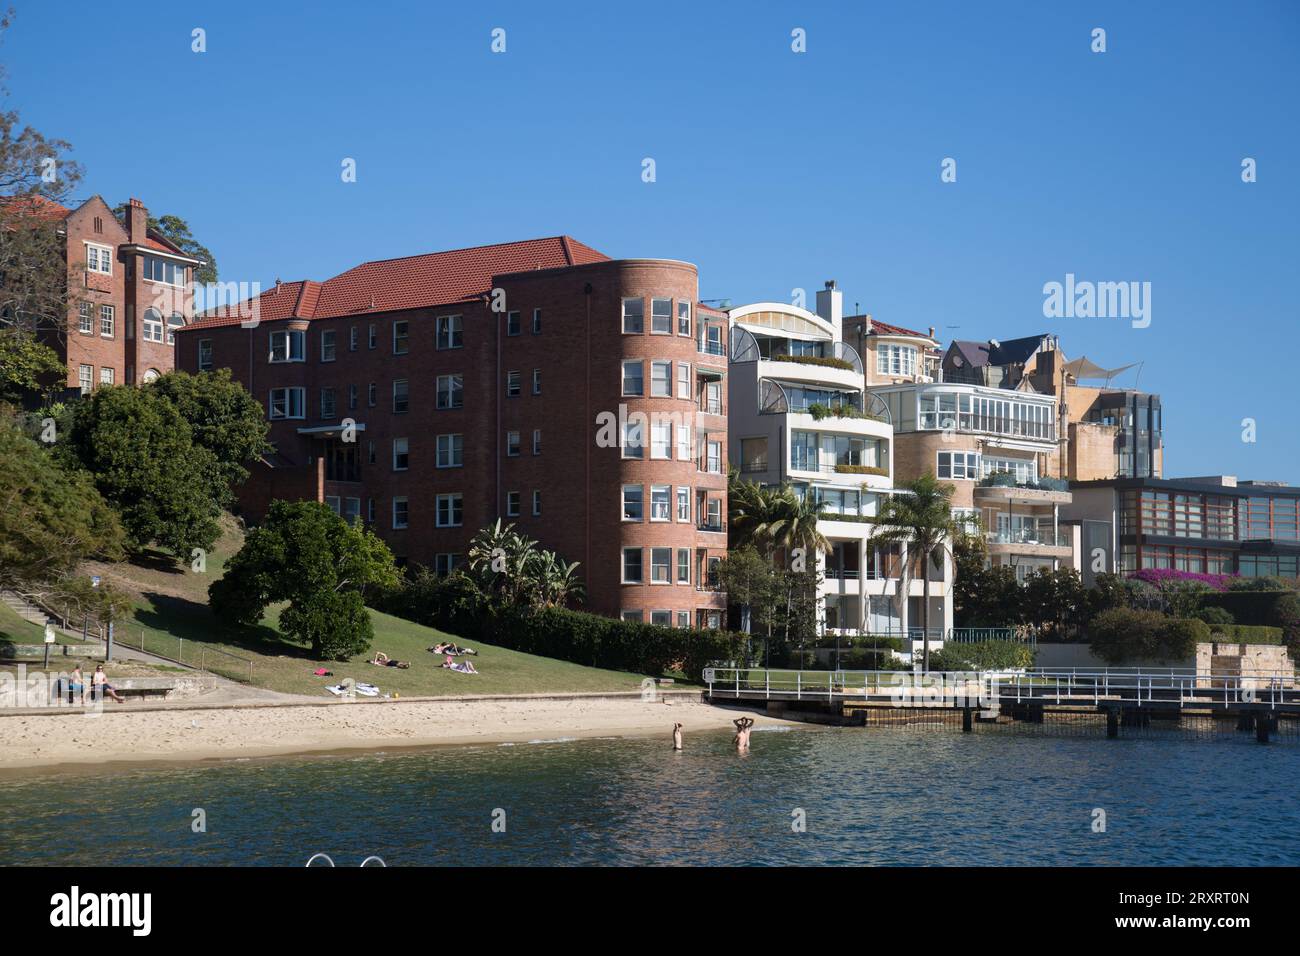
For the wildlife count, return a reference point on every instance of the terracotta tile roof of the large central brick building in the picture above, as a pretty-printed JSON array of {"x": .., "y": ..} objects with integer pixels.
[{"x": 435, "y": 279}]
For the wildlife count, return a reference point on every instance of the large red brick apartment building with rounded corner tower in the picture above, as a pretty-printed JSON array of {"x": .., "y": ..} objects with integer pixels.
[{"x": 480, "y": 384}]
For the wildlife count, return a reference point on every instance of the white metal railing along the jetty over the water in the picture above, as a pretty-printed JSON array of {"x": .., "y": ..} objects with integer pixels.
[{"x": 1126, "y": 686}]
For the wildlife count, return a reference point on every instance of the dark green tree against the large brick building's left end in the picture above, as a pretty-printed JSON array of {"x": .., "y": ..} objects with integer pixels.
[{"x": 224, "y": 418}]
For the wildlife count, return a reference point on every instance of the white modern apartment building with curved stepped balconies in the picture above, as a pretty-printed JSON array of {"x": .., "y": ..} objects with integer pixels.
[{"x": 800, "y": 413}]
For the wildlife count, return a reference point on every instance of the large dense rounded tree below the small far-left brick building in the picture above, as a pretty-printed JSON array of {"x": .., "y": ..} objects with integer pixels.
[{"x": 141, "y": 452}]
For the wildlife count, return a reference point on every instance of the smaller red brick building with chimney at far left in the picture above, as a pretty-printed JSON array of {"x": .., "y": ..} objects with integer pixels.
[{"x": 131, "y": 292}]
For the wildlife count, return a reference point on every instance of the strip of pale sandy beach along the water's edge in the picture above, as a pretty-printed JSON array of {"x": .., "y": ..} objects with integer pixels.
[{"x": 177, "y": 733}]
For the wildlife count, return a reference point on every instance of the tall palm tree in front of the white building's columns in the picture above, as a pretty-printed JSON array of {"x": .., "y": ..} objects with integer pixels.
[{"x": 920, "y": 521}]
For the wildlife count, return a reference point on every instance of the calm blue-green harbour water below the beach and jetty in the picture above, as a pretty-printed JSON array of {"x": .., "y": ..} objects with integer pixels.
[{"x": 917, "y": 797}]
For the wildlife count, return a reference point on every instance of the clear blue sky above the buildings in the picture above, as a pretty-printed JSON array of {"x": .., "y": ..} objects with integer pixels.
[{"x": 775, "y": 170}]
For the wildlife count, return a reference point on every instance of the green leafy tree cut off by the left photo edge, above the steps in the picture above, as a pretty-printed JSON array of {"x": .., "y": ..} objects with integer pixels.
[{"x": 51, "y": 520}]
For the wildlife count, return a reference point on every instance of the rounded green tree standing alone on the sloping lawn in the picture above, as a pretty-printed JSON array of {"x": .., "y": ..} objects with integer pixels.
[{"x": 323, "y": 566}]
